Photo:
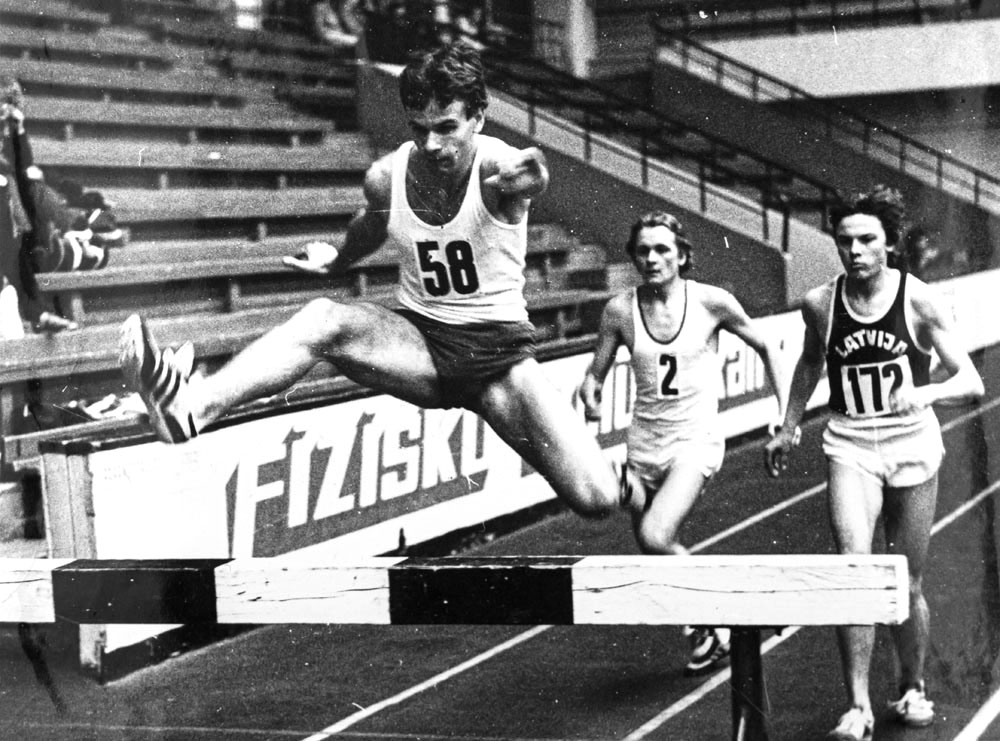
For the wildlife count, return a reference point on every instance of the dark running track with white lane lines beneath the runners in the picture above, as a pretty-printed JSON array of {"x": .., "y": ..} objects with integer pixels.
[{"x": 583, "y": 683}]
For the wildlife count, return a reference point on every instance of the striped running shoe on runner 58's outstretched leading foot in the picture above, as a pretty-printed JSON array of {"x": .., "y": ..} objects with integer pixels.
[{"x": 160, "y": 379}]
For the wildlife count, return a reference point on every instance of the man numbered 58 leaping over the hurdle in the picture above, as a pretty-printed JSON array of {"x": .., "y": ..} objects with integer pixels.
[{"x": 453, "y": 205}]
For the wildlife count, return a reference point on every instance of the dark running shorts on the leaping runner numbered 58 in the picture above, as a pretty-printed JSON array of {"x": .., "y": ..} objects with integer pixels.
[{"x": 468, "y": 355}]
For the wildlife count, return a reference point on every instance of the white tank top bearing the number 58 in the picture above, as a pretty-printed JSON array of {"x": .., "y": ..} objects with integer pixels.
[{"x": 468, "y": 271}]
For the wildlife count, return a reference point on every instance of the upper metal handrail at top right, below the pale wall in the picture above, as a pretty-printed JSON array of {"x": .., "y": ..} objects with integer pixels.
[{"x": 891, "y": 147}]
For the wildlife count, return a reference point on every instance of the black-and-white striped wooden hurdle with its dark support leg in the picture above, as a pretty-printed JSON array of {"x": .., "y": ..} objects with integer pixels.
[{"x": 746, "y": 593}]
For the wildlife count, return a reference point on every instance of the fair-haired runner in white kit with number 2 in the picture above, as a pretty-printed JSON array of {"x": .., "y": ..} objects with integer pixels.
[{"x": 670, "y": 325}]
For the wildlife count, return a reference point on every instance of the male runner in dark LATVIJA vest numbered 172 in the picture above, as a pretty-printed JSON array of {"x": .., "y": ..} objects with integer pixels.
[{"x": 874, "y": 327}]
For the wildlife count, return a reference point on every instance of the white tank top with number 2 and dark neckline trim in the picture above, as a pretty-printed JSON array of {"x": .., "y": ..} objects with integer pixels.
[{"x": 678, "y": 381}]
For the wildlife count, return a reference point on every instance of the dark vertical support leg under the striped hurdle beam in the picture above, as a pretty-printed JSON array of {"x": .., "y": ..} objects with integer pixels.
[{"x": 749, "y": 698}]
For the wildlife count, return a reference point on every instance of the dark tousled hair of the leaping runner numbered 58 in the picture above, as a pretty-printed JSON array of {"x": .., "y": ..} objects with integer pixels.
[{"x": 449, "y": 73}]
